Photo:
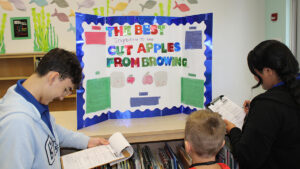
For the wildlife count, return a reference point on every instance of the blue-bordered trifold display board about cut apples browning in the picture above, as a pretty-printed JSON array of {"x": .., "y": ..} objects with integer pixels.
[{"x": 142, "y": 66}]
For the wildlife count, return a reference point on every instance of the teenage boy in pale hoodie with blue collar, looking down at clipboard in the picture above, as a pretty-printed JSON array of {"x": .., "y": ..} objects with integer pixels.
[{"x": 29, "y": 136}]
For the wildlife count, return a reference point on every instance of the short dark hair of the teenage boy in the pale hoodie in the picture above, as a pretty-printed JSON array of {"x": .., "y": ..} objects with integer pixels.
[{"x": 63, "y": 62}]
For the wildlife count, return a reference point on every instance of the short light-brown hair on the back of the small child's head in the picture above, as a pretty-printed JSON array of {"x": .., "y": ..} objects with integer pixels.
[{"x": 205, "y": 131}]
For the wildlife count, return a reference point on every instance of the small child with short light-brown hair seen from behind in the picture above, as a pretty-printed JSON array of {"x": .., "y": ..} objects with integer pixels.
[{"x": 204, "y": 137}]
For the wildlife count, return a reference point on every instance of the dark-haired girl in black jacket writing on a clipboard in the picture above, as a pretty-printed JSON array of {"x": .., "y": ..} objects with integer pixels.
[{"x": 270, "y": 137}]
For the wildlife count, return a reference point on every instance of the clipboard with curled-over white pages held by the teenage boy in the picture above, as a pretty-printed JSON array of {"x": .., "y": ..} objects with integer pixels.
[{"x": 116, "y": 151}]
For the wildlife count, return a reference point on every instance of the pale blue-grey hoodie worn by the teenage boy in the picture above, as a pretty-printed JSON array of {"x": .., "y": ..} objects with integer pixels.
[{"x": 26, "y": 141}]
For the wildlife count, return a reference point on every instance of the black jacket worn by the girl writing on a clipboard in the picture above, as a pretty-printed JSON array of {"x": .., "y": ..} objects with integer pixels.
[{"x": 270, "y": 138}]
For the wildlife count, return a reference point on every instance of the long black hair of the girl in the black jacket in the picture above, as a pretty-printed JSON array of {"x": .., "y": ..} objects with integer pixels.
[{"x": 277, "y": 56}]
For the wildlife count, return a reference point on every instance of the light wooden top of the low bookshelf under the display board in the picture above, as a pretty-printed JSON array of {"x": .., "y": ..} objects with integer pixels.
[{"x": 137, "y": 130}]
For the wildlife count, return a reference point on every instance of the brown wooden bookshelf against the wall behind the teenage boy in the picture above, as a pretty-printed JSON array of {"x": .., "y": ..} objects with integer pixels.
[{"x": 14, "y": 67}]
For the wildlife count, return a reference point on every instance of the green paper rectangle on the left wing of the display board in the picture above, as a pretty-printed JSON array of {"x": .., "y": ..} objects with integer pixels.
[{"x": 98, "y": 94}]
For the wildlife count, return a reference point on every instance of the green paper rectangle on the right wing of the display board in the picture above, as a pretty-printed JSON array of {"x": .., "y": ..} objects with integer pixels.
[{"x": 192, "y": 92}]
